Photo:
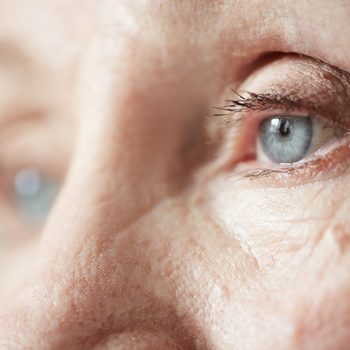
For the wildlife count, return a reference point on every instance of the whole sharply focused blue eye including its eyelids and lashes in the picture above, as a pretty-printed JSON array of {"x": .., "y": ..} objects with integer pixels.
[{"x": 286, "y": 133}]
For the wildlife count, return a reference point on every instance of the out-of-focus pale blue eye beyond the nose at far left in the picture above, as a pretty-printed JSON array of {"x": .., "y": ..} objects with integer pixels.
[{"x": 34, "y": 194}]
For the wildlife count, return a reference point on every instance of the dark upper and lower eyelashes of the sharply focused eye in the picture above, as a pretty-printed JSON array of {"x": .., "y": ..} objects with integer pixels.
[{"x": 236, "y": 111}]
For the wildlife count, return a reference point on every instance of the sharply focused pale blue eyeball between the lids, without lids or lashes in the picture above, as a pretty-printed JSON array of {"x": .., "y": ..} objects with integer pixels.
[{"x": 290, "y": 139}]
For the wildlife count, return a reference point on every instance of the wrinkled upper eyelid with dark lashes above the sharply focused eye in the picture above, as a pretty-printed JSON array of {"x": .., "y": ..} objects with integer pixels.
[{"x": 315, "y": 88}]
